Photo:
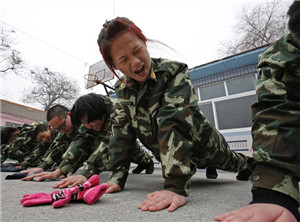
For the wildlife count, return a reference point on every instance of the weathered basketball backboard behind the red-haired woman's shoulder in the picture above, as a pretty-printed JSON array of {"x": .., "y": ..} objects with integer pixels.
[{"x": 98, "y": 73}]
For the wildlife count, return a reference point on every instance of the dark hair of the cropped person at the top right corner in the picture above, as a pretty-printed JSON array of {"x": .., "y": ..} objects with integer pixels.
[{"x": 294, "y": 21}]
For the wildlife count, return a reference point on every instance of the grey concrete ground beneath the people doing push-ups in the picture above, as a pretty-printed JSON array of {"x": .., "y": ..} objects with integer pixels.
[{"x": 208, "y": 198}]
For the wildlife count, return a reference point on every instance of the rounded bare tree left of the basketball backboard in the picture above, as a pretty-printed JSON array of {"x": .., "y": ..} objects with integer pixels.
[{"x": 51, "y": 88}]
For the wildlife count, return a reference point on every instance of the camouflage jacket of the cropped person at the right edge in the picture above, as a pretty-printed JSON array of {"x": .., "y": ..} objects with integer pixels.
[{"x": 276, "y": 118}]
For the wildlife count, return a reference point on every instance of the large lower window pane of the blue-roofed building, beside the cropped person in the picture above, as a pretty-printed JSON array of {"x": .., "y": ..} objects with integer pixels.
[{"x": 235, "y": 113}]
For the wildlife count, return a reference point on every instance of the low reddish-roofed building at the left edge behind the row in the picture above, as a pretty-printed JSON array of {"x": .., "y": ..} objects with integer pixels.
[{"x": 13, "y": 114}]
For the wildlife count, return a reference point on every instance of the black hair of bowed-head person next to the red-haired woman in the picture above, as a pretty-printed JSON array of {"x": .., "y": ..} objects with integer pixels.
[{"x": 91, "y": 105}]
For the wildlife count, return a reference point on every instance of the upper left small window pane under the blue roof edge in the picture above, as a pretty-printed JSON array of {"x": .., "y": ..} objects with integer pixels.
[{"x": 212, "y": 91}]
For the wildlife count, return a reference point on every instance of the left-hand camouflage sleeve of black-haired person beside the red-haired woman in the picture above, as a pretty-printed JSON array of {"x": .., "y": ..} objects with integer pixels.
[{"x": 79, "y": 151}]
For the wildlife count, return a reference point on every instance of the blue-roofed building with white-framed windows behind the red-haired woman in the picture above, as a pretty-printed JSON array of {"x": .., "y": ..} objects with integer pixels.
[{"x": 226, "y": 90}]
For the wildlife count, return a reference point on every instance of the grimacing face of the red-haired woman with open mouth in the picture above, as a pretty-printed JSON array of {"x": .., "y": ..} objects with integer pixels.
[{"x": 130, "y": 56}]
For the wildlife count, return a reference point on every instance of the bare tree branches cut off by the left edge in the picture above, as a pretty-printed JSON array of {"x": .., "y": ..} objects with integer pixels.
[{"x": 10, "y": 57}]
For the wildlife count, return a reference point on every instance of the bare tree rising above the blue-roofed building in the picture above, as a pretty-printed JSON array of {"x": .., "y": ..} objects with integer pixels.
[{"x": 257, "y": 26}]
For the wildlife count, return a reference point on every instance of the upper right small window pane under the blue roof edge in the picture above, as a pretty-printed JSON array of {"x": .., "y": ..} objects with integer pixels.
[{"x": 240, "y": 85}]
